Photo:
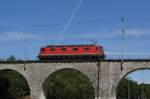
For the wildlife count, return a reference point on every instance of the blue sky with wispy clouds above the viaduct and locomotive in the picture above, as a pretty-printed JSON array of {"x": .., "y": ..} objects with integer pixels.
[{"x": 44, "y": 22}]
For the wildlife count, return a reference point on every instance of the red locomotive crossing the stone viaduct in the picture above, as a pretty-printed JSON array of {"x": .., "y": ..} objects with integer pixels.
[{"x": 71, "y": 52}]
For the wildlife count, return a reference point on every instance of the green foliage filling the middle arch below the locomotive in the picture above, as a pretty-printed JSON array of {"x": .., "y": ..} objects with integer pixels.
[{"x": 69, "y": 84}]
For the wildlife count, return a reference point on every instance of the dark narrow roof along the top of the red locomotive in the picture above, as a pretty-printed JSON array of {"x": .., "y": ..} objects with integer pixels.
[{"x": 72, "y": 45}]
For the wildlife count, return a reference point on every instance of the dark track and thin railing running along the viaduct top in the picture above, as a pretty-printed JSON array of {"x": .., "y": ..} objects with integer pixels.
[{"x": 108, "y": 58}]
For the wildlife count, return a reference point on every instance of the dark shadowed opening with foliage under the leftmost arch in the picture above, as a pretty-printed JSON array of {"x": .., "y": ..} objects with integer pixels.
[{"x": 13, "y": 85}]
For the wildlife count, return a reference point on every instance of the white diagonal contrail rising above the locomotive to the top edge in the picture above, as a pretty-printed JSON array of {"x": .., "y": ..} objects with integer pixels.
[{"x": 69, "y": 22}]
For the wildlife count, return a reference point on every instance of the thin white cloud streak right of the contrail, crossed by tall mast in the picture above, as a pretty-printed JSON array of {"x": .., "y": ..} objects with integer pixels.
[{"x": 108, "y": 34}]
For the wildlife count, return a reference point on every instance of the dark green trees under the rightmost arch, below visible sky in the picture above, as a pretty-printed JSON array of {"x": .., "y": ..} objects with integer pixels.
[{"x": 135, "y": 90}]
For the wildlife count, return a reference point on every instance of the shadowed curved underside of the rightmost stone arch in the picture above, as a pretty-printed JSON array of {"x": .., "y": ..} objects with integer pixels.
[{"x": 126, "y": 74}]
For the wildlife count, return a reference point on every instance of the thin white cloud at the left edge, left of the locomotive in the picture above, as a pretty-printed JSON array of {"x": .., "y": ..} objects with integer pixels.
[{"x": 15, "y": 36}]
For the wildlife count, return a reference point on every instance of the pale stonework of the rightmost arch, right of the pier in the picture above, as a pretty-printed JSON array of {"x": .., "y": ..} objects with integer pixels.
[{"x": 128, "y": 67}]
